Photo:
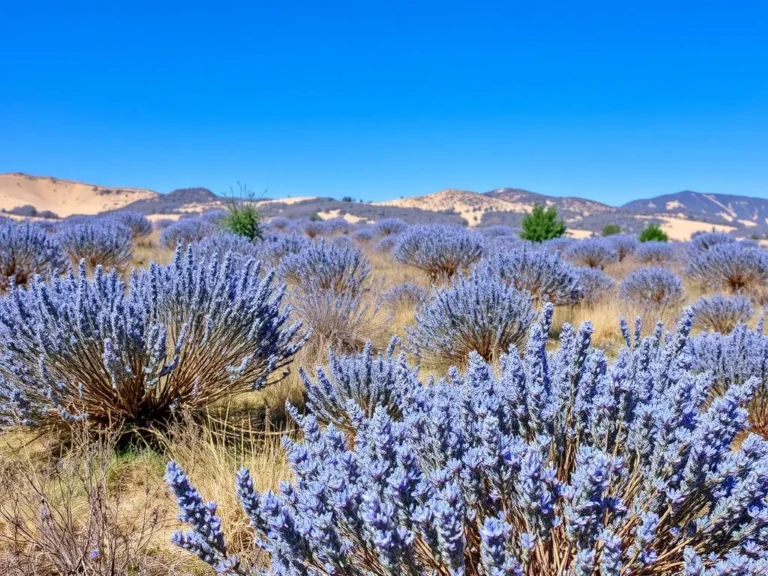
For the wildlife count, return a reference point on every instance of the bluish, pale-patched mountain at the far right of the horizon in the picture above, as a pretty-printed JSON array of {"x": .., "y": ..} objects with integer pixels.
[{"x": 716, "y": 208}]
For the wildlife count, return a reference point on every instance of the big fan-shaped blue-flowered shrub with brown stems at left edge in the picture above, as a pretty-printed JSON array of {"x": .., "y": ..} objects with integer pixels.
[{"x": 178, "y": 336}]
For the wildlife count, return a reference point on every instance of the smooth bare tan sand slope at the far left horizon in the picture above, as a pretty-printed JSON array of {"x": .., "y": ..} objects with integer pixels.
[{"x": 63, "y": 196}]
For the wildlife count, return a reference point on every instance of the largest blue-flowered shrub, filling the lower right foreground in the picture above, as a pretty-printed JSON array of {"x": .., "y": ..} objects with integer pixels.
[{"x": 561, "y": 463}]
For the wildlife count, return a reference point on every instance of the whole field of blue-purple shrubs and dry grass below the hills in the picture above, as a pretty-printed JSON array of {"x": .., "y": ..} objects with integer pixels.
[{"x": 379, "y": 399}]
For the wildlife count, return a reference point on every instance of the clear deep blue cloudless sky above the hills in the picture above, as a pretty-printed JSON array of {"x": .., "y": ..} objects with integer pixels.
[{"x": 378, "y": 99}]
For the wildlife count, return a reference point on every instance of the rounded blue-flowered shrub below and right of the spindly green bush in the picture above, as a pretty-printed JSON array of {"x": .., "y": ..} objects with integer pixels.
[{"x": 327, "y": 265}]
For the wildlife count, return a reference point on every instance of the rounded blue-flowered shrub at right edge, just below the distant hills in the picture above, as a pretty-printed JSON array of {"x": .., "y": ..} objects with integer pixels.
[{"x": 730, "y": 267}]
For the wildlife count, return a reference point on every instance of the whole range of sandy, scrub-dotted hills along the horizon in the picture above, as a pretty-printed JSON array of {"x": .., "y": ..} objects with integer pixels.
[{"x": 680, "y": 215}]
